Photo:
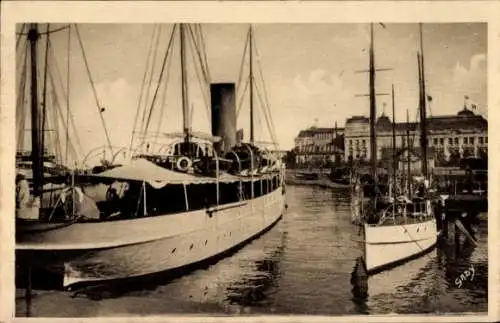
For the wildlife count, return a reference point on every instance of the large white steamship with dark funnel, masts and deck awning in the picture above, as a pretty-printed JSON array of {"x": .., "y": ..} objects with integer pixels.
[{"x": 193, "y": 198}]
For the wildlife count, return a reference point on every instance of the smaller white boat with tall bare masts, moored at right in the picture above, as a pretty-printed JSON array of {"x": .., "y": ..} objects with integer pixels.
[{"x": 400, "y": 224}]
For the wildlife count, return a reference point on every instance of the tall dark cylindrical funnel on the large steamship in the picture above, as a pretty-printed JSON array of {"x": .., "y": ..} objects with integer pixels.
[{"x": 224, "y": 114}]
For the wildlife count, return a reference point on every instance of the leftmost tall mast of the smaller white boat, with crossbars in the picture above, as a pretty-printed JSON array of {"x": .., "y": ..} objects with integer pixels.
[{"x": 373, "y": 110}]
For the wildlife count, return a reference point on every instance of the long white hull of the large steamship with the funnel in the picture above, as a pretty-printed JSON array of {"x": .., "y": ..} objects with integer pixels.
[{"x": 90, "y": 252}]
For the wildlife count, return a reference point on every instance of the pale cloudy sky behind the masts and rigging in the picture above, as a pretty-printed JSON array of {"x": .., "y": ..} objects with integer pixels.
[{"x": 309, "y": 71}]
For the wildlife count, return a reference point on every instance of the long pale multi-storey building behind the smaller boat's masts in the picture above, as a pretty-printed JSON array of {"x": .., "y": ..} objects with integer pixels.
[{"x": 451, "y": 137}]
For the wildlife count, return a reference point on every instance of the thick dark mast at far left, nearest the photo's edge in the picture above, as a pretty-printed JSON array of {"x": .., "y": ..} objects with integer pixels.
[{"x": 35, "y": 122}]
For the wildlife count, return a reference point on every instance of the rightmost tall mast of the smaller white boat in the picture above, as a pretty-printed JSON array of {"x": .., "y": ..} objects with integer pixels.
[{"x": 423, "y": 110}]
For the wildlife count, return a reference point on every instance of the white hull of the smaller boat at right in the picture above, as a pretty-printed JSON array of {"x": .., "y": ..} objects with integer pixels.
[{"x": 388, "y": 245}]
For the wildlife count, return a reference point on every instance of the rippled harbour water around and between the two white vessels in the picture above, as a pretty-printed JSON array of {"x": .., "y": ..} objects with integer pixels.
[{"x": 303, "y": 265}]
